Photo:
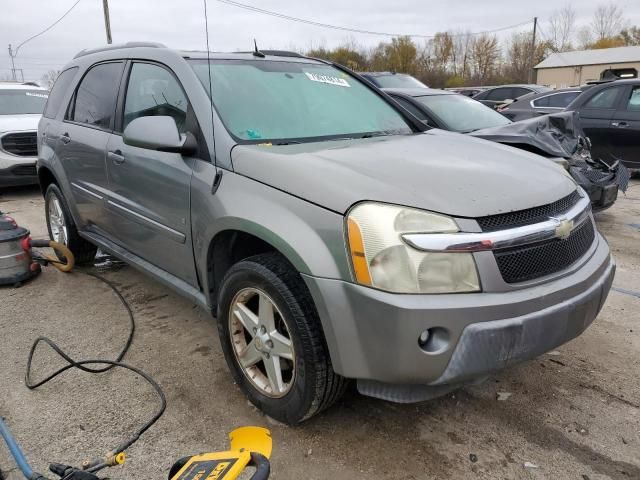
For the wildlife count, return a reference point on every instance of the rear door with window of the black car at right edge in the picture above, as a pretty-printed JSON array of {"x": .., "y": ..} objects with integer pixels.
[{"x": 596, "y": 114}]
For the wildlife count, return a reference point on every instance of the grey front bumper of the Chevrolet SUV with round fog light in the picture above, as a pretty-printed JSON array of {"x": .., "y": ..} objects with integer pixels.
[{"x": 373, "y": 335}]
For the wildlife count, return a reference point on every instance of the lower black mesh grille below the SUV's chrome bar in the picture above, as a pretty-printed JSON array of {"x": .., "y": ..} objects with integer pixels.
[{"x": 520, "y": 264}]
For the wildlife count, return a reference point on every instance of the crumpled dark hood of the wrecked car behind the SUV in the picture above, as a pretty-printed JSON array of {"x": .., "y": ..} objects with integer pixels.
[{"x": 555, "y": 135}]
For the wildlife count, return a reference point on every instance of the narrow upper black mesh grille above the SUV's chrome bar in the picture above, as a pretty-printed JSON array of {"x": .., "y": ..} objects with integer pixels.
[{"x": 529, "y": 216}]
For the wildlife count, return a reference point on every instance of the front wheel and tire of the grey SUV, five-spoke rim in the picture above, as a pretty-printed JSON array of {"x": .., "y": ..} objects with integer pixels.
[{"x": 273, "y": 341}]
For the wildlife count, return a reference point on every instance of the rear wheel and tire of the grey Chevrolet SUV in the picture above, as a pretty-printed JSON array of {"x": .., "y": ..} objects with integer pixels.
[{"x": 63, "y": 229}]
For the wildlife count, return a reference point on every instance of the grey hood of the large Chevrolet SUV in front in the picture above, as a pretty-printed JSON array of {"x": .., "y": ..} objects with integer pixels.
[{"x": 438, "y": 171}]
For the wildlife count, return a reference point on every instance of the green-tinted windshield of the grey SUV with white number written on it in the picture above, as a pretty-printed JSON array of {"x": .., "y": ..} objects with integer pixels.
[{"x": 260, "y": 100}]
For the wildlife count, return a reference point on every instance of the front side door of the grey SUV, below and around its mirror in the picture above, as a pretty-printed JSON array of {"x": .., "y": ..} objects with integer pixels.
[{"x": 149, "y": 202}]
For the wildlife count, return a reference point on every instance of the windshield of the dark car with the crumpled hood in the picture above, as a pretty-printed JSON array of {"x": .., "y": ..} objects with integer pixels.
[{"x": 462, "y": 114}]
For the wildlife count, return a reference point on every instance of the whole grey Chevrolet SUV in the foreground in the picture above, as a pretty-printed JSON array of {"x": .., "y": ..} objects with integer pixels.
[{"x": 330, "y": 234}]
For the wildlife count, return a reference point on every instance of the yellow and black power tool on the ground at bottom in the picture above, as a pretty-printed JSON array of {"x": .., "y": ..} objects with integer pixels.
[{"x": 249, "y": 447}]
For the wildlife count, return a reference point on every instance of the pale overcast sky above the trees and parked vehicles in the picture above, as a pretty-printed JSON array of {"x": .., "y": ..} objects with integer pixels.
[{"x": 180, "y": 24}]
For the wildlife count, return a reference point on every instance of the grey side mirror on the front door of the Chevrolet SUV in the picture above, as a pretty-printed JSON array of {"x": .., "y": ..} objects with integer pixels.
[{"x": 159, "y": 133}]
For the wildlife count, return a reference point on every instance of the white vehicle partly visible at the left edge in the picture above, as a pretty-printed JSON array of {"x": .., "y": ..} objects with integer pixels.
[{"x": 21, "y": 106}]
